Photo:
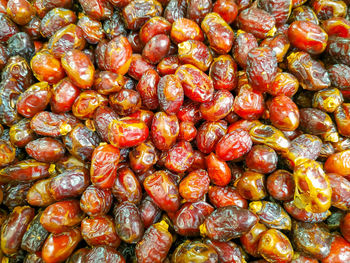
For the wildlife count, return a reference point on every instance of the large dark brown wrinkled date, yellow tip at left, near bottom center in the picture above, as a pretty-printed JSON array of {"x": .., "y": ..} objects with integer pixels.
[{"x": 228, "y": 222}]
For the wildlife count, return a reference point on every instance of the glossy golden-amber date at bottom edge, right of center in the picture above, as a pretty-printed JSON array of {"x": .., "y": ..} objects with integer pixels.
[{"x": 274, "y": 246}]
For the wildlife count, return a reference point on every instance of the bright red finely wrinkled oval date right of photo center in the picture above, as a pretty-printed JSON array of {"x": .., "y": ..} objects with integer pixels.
[{"x": 233, "y": 145}]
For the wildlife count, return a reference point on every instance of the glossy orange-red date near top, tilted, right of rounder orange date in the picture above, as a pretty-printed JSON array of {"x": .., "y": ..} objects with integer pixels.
[{"x": 219, "y": 33}]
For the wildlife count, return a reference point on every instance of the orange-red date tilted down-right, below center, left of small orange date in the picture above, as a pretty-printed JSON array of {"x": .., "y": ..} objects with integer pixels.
[{"x": 161, "y": 188}]
